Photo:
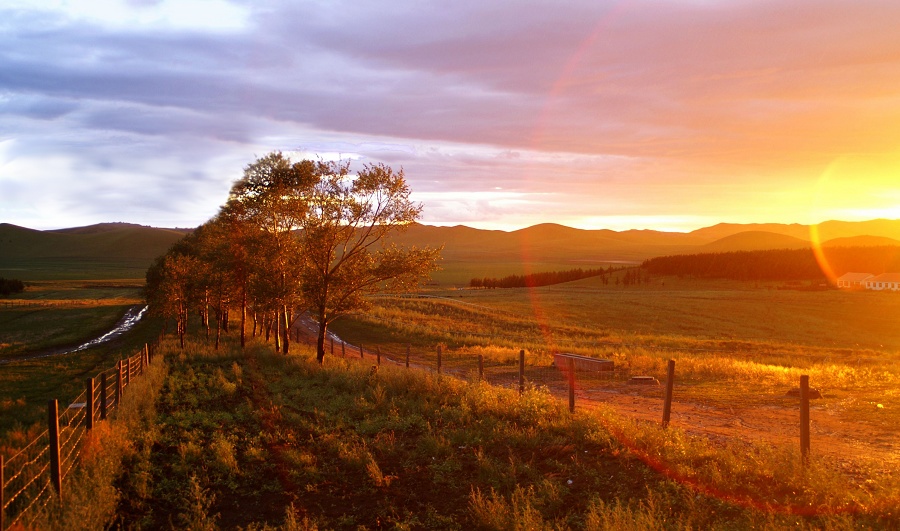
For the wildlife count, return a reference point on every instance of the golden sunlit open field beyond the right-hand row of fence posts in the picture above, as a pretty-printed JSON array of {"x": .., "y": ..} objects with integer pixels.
[{"x": 738, "y": 350}]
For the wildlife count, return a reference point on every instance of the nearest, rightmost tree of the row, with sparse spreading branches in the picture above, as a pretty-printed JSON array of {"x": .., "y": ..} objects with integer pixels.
[{"x": 345, "y": 249}]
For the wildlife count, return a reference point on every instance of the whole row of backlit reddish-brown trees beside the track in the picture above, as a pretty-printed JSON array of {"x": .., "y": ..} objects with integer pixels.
[{"x": 293, "y": 237}]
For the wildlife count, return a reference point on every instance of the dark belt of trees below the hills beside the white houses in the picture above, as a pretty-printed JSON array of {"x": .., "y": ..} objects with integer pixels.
[{"x": 777, "y": 265}]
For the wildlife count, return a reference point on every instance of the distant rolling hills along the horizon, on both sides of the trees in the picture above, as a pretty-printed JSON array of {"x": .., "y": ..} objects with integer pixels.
[{"x": 123, "y": 250}]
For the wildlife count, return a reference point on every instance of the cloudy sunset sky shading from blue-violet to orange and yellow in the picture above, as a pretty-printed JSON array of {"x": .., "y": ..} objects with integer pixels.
[{"x": 666, "y": 114}]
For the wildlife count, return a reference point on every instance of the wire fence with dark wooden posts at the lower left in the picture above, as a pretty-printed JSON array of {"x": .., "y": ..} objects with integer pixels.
[{"x": 34, "y": 475}]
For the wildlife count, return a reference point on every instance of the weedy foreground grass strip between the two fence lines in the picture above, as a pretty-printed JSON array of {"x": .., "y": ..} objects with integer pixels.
[{"x": 256, "y": 440}]
